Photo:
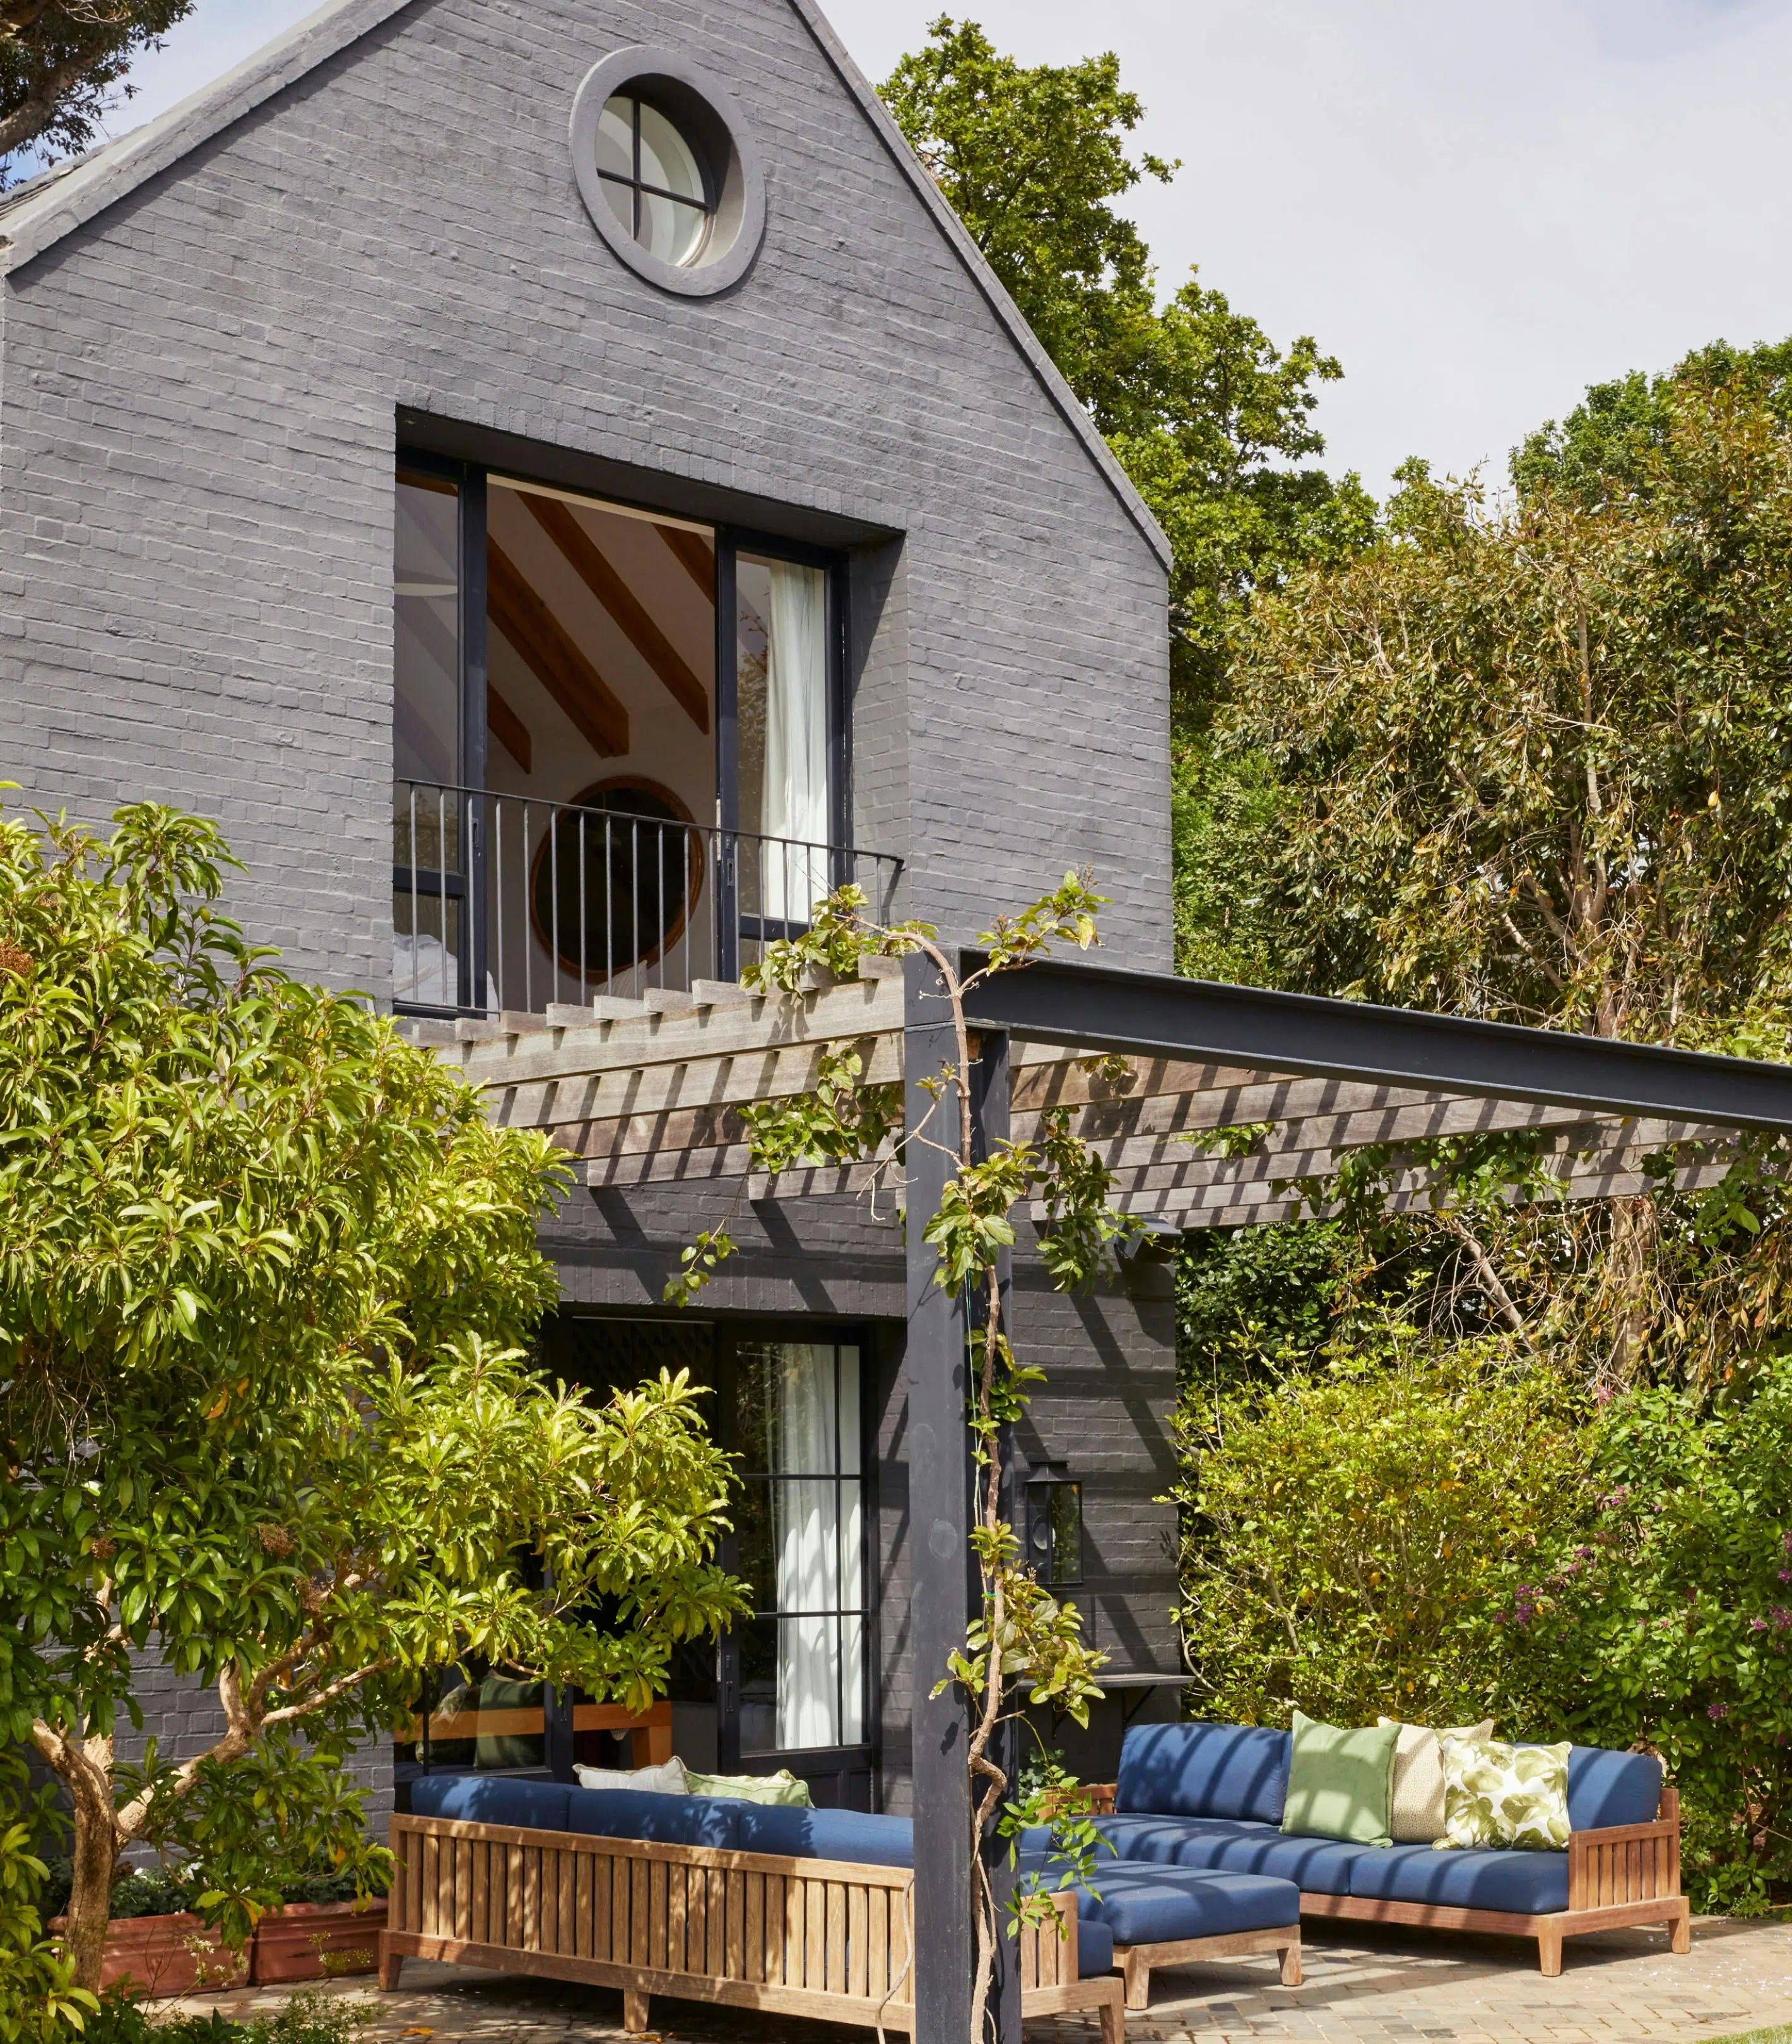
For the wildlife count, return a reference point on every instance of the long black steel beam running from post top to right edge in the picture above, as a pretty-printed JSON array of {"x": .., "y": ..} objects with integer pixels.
[{"x": 1156, "y": 1015}]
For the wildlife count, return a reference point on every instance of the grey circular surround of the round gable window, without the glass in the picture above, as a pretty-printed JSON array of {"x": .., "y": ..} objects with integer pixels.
[{"x": 726, "y": 148}]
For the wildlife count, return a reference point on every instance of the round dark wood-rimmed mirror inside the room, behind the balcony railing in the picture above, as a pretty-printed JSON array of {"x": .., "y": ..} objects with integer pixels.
[{"x": 612, "y": 886}]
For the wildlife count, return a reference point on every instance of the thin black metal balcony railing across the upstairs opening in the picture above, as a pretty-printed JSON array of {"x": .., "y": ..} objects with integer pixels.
[{"x": 504, "y": 902}]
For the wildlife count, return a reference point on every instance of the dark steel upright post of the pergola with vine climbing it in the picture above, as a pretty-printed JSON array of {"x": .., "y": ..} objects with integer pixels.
[{"x": 939, "y": 1505}]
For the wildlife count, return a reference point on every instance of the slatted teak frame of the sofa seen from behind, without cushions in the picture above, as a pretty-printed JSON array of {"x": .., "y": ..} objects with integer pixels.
[{"x": 745, "y": 1929}]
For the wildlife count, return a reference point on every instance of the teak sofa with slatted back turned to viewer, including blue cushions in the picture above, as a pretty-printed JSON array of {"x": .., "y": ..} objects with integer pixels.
[{"x": 802, "y": 1912}]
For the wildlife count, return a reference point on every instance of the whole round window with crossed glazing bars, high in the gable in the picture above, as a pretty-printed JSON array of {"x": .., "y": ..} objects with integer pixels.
[{"x": 667, "y": 171}]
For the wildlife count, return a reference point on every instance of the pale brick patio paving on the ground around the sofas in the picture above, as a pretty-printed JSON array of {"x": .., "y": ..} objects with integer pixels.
[{"x": 1366, "y": 1988}]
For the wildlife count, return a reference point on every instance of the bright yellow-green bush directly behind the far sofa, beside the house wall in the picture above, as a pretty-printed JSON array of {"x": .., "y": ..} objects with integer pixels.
[{"x": 1350, "y": 1538}]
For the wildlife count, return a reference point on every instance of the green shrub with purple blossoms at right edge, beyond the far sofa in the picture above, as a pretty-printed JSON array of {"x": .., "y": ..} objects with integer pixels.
[{"x": 1670, "y": 1622}]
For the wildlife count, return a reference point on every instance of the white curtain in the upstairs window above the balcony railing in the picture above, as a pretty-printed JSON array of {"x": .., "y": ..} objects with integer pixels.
[{"x": 796, "y": 790}]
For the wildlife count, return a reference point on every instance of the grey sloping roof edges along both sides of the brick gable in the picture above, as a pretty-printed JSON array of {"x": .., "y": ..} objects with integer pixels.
[{"x": 40, "y": 214}]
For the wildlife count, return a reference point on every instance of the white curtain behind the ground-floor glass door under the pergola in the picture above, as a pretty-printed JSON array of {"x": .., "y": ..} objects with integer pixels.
[{"x": 816, "y": 1434}]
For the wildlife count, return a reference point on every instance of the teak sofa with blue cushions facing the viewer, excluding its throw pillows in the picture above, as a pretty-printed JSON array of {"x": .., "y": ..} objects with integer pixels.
[{"x": 1211, "y": 1798}]
